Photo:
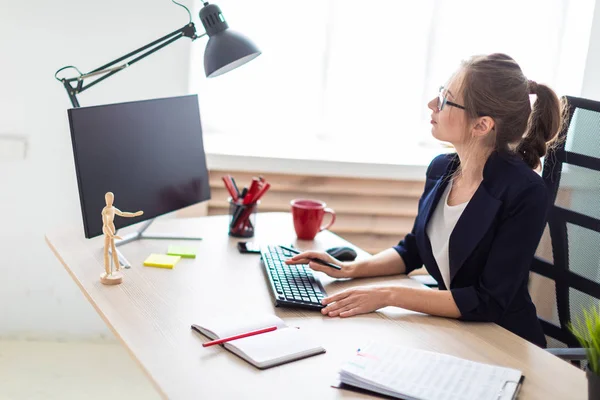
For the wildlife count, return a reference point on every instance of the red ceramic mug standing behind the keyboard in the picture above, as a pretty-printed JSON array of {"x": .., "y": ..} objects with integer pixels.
[{"x": 308, "y": 216}]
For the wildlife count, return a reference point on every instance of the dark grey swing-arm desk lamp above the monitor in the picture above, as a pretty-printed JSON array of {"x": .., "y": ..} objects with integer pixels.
[{"x": 225, "y": 51}]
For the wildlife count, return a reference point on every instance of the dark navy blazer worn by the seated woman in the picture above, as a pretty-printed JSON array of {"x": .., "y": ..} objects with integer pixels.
[{"x": 492, "y": 245}]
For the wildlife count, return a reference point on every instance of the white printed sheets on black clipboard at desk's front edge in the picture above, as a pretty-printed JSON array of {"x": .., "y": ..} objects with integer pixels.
[{"x": 401, "y": 372}]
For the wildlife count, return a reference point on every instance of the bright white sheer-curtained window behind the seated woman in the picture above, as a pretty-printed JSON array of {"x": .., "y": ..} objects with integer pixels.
[{"x": 358, "y": 74}]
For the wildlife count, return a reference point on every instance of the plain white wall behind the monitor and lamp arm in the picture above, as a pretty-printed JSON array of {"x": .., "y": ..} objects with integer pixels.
[{"x": 39, "y": 192}]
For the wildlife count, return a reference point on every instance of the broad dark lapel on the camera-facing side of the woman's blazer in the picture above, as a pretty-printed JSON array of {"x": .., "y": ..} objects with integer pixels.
[{"x": 471, "y": 227}]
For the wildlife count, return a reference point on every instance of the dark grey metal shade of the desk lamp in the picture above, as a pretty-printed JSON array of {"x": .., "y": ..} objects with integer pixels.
[{"x": 225, "y": 50}]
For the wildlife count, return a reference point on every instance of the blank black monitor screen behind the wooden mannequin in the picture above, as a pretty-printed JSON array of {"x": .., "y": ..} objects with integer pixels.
[{"x": 149, "y": 154}]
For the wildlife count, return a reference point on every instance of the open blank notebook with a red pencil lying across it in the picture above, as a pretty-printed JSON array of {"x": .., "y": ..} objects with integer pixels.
[{"x": 265, "y": 350}]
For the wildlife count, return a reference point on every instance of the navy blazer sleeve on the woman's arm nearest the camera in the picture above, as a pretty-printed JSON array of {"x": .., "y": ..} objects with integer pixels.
[{"x": 509, "y": 260}]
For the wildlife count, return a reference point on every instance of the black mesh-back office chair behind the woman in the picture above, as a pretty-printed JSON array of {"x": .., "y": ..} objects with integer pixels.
[{"x": 571, "y": 274}]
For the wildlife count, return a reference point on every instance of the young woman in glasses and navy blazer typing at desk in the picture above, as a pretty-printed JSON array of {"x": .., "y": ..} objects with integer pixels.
[{"x": 483, "y": 209}]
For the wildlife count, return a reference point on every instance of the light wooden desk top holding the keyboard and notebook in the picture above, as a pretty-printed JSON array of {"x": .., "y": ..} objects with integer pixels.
[{"x": 152, "y": 310}]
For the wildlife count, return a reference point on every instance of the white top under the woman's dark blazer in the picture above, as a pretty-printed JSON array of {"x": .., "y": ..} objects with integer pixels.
[{"x": 440, "y": 228}]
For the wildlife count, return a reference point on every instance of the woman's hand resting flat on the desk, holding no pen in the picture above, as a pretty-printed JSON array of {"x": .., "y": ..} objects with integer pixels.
[{"x": 356, "y": 301}]
